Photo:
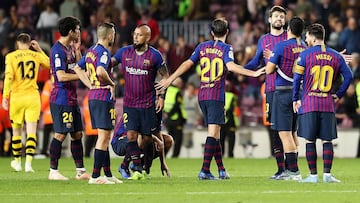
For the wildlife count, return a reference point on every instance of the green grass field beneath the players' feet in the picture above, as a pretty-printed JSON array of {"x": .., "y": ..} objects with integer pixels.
[{"x": 249, "y": 183}]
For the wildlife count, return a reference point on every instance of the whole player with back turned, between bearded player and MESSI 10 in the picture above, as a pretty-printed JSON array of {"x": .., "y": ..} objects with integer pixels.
[{"x": 284, "y": 119}]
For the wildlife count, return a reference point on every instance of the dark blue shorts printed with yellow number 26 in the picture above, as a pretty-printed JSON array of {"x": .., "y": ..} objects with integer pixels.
[{"x": 67, "y": 119}]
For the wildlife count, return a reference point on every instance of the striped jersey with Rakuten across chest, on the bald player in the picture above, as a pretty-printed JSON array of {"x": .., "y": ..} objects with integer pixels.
[{"x": 139, "y": 74}]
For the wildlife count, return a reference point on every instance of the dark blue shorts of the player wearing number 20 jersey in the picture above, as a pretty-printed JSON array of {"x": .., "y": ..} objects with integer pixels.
[{"x": 213, "y": 112}]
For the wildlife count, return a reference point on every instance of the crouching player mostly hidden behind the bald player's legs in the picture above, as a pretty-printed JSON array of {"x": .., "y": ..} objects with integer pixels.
[{"x": 149, "y": 153}]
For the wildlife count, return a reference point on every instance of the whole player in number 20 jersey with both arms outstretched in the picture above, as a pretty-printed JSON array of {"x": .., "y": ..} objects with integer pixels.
[{"x": 216, "y": 59}]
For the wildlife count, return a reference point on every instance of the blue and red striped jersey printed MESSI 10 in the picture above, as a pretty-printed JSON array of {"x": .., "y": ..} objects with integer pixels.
[{"x": 319, "y": 67}]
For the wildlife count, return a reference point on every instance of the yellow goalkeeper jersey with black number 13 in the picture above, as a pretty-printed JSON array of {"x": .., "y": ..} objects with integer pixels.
[{"x": 21, "y": 71}]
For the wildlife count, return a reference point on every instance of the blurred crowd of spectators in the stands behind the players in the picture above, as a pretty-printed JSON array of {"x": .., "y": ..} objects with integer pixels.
[{"x": 247, "y": 22}]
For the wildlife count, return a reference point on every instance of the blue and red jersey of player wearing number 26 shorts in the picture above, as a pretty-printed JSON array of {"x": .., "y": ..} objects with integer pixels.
[{"x": 63, "y": 58}]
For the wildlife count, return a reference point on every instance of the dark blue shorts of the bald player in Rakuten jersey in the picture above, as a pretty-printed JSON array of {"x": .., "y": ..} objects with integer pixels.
[{"x": 141, "y": 120}]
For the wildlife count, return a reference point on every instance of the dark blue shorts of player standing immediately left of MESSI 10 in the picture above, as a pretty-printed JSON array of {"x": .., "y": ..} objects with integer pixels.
[{"x": 283, "y": 117}]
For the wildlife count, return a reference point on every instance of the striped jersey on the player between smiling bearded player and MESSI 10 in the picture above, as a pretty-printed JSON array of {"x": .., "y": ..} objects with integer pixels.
[{"x": 284, "y": 56}]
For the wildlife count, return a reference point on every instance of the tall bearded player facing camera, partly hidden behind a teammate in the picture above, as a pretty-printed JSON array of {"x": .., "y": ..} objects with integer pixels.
[{"x": 265, "y": 47}]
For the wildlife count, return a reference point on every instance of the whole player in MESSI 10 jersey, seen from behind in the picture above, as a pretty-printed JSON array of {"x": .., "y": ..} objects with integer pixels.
[{"x": 318, "y": 67}]
